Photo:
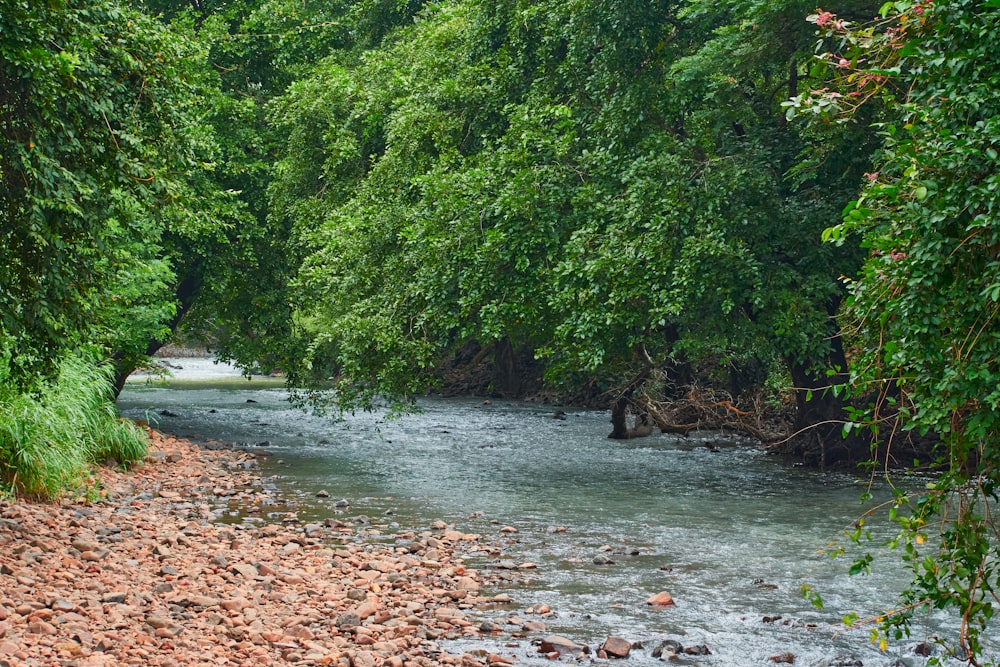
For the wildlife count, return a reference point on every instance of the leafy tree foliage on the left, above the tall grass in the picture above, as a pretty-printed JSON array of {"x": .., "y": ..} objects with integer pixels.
[{"x": 103, "y": 156}]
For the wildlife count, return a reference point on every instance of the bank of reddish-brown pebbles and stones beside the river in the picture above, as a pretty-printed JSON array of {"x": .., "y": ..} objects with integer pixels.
[{"x": 145, "y": 575}]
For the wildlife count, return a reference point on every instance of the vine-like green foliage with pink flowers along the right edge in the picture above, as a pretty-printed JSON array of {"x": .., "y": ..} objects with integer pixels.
[{"x": 926, "y": 300}]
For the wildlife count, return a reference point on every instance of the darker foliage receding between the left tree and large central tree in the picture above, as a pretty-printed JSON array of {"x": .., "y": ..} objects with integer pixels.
[{"x": 238, "y": 299}]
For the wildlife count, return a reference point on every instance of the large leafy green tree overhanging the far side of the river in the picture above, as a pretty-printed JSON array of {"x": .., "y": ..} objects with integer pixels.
[{"x": 602, "y": 184}]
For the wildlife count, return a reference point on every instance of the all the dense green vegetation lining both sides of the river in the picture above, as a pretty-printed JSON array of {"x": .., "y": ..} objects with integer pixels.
[{"x": 640, "y": 204}]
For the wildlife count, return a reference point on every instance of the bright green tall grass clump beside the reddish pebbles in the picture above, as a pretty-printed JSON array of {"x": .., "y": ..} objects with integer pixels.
[{"x": 50, "y": 438}]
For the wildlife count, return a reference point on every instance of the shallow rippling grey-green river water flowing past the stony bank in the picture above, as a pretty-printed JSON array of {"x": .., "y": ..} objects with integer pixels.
[{"x": 731, "y": 533}]
